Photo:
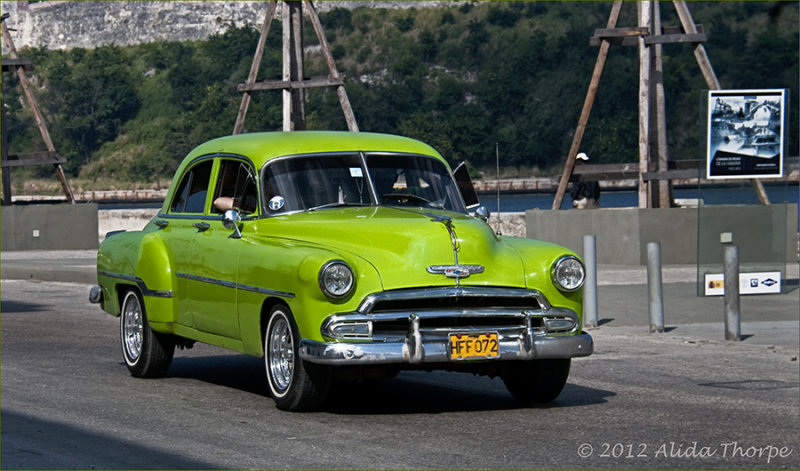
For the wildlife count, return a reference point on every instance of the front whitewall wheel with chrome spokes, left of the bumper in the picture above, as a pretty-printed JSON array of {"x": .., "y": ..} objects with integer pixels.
[{"x": 295, "y": 385}]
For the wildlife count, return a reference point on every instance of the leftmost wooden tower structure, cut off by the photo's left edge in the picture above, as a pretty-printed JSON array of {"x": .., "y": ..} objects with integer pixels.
[{"x": 49, "y": 157}]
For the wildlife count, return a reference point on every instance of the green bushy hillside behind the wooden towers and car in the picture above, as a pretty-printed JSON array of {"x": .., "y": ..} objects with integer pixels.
[{"x": 463, "y": 78}]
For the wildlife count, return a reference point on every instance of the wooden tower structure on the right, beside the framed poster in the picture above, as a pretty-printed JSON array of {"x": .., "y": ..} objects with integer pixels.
[{"x": 653, "y": 171}]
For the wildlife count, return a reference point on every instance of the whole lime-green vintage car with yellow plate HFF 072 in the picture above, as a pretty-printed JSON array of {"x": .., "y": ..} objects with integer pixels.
[{"x": 337, "y": 254}]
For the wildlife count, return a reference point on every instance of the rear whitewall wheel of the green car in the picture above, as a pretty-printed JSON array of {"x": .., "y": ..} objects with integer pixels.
[{"x": 147, "y": 354}]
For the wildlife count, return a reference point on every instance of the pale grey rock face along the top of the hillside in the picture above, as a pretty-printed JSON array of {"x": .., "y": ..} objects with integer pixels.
[{"x": 87, "y": 24}]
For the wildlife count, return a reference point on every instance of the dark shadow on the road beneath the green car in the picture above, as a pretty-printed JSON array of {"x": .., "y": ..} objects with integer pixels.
[{"x": 410, "y": 392}]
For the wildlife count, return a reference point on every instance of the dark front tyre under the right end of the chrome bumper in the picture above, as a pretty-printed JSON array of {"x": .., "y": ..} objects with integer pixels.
[{"x": 536, "y": 381}]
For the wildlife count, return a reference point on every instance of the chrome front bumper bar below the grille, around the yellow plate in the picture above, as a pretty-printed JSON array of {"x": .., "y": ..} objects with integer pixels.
[{"x": 528, "y": 347}]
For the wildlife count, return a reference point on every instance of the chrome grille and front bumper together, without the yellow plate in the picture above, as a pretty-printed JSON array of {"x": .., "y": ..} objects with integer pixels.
[{"x": 414, "y": 327}]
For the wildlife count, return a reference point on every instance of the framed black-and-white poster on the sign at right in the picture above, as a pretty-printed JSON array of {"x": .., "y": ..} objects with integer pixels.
[{"x": 745, "y": 133}]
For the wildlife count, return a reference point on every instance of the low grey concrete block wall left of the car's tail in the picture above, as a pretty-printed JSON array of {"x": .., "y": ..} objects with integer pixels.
[{"x": 48, "y": 227}]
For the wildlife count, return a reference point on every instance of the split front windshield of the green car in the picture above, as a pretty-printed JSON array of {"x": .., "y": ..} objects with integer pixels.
[{"x": 324, "y": 181}]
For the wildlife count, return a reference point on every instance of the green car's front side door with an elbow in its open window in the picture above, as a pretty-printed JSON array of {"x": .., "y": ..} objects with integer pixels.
[{"x": 213, "y": 284}]
